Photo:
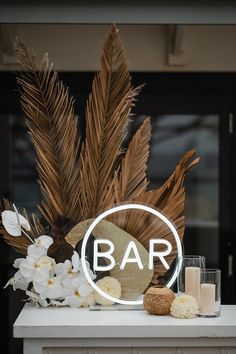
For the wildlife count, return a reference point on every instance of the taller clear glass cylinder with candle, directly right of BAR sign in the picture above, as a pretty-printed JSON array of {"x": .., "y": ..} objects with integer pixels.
[{"x": 188, "y": 281}]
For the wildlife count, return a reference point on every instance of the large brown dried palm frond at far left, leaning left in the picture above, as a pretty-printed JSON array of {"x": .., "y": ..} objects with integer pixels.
[{"x": 53, "y": 127}]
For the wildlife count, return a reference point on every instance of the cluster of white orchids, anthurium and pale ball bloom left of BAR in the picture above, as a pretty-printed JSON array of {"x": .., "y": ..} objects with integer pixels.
[{"x": 47, "y": 282}]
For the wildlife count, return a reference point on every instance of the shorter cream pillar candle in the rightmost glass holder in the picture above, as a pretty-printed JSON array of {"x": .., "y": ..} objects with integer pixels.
[{"x": 207, "y": 299}]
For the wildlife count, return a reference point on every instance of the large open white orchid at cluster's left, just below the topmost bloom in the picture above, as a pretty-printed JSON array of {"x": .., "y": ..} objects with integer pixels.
[{"x": 34, "y": 270}]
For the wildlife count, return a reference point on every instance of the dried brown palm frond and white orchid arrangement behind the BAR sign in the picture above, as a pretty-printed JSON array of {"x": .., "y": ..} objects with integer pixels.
[{"x": 79, "y": 179}]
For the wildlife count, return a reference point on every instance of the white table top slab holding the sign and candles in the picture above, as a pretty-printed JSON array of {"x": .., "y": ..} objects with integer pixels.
[{"x": 82, "y": 323}]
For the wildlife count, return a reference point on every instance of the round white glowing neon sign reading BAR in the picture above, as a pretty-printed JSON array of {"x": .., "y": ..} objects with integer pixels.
[{"x": 131, "y": 248}]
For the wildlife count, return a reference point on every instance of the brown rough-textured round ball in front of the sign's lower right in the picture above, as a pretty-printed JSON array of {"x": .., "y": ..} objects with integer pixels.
[{"x": 157, "y": 301}]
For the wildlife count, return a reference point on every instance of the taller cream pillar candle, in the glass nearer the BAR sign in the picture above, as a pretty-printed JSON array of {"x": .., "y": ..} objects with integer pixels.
[{"x": 192, "y": 282}]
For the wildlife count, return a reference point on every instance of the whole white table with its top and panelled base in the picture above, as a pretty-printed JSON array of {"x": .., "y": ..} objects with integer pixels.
[{"x": 80, "y": 331}]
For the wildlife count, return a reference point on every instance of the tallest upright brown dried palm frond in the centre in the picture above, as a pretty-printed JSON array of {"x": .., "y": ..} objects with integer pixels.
[{"x": 107, "y": 113}]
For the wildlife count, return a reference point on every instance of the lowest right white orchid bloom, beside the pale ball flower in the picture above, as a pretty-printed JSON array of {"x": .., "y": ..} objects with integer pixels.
[{"x": 78, "y": 296}]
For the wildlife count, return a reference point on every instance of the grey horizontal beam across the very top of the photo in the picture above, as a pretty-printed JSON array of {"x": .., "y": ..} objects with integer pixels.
[{"x": 121, "y": 12}]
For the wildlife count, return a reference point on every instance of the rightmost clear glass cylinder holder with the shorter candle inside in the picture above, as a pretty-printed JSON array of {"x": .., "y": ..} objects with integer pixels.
[{"x": 210, "y": 299}]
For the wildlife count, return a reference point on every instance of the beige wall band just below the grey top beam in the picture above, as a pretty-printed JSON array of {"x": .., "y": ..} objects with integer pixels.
[{"x": 78, "y": 47}]
